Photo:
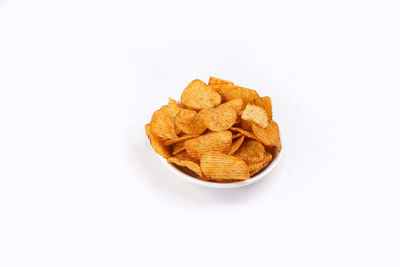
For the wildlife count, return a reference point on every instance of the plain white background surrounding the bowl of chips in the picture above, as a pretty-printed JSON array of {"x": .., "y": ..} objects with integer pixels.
[{"x": 80, "y": 185}]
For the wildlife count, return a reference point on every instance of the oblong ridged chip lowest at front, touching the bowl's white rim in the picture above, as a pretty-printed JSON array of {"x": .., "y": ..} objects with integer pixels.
[{"x": 221, "y": 166}]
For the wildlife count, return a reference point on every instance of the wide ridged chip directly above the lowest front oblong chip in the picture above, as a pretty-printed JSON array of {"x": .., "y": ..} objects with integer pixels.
[{"x": 214, "y": 141}]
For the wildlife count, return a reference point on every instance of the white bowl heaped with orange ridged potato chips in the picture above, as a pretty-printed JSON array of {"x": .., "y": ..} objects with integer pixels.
[{"x": 220, "y": 135}]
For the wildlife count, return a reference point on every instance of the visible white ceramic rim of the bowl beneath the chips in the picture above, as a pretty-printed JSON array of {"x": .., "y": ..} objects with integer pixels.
[{"x": 258, "y": 177}]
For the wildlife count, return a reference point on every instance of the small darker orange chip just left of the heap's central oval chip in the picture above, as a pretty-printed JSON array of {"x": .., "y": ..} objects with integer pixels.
[{"x": 189, "y": 122}]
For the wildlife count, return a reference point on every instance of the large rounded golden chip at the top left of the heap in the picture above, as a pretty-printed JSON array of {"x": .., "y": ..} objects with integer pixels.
[{"x": 198, "y": 95}]
